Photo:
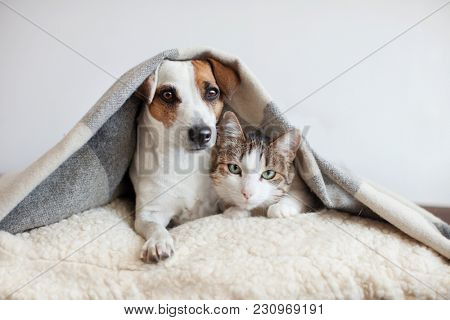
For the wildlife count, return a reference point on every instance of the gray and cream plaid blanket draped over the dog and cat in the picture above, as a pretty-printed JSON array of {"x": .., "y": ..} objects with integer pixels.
[{"x": 89, "y": 166}]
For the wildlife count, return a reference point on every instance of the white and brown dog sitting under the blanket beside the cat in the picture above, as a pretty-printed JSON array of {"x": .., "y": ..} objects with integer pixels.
[{"x": 183, "y": 101}]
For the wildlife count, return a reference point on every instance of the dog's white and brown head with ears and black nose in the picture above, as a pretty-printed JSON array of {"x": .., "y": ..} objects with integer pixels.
[{"x": 187, "y": 98}]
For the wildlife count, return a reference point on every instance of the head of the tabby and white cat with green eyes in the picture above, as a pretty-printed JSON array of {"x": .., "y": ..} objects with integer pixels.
[{"x": 249, "y": 170}]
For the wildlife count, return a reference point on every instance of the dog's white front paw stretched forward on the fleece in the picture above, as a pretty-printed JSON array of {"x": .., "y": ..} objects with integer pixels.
[{"x": 159, "y": 247}]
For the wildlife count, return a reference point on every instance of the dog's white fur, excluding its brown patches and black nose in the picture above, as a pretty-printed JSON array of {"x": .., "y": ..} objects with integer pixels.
[{"x": 178, "y": 187}]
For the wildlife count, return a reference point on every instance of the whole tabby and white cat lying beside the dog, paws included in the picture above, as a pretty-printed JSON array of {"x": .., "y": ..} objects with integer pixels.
[{"x": 255, "y": 176}]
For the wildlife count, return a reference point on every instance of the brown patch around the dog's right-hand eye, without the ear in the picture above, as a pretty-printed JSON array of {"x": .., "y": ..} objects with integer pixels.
[{"x": 207, "y": 86}]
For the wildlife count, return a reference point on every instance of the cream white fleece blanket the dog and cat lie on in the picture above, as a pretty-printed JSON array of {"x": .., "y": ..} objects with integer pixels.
[{"x": 324, "y": 255}]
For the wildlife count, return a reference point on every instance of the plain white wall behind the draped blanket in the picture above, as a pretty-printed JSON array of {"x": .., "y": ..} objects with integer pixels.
[{"x": 387, "y": 119}]
